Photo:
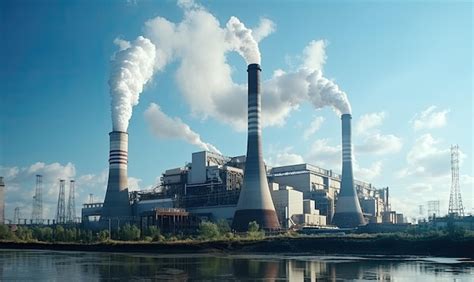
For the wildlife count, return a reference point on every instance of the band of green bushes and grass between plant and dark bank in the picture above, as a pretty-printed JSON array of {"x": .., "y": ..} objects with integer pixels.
[{"x": 207, "y": 231}]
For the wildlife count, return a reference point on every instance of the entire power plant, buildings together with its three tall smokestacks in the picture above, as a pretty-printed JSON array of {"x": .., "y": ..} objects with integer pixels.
[{"x": 242, "y": 189}]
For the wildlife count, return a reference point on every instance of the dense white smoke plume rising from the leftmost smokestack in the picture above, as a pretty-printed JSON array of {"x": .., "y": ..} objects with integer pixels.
[{"x": 131, "y": 69}]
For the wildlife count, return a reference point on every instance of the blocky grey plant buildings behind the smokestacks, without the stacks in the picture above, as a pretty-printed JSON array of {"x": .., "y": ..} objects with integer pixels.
[{"x": 208, "y": 187}]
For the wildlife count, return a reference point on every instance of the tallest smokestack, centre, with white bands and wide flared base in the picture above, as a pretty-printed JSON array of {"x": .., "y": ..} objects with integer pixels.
[{"x": 255, "y": 202}]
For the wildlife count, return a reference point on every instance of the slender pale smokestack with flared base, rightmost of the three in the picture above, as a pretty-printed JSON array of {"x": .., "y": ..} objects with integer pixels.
[{"x": 348, "y": 212}]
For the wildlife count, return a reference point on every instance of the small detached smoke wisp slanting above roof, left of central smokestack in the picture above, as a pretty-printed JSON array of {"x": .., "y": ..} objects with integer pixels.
[{"x": 163, "y": 126}]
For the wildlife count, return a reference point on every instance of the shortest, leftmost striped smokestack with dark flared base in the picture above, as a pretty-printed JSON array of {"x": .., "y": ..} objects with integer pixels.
[{"x": 116, "y": 203}]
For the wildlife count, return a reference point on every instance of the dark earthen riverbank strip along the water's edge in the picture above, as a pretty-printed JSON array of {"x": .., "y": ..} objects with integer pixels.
[{"x": 440, "y": 246}]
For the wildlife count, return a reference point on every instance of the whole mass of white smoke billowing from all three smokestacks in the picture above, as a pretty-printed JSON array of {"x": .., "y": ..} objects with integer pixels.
[{"x": 204, "y": 76}]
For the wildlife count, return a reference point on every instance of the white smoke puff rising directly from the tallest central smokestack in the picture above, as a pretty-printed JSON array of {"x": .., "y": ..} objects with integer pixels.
[{"x": 242, "y": 41}]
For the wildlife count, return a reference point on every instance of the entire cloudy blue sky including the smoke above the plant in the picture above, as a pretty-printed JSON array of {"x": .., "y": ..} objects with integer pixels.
[{"x": 175, "y": 76}]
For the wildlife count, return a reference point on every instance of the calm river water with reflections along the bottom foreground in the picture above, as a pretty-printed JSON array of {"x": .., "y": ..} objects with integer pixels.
[{"x": 71, "y": 266}]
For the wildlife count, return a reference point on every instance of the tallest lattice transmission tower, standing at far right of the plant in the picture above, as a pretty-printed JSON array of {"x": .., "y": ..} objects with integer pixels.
[{"x": 455, "y": 201}]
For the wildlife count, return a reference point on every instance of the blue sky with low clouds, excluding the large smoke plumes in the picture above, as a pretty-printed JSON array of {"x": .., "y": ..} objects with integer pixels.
[{"x": 406, "y": 68}]
